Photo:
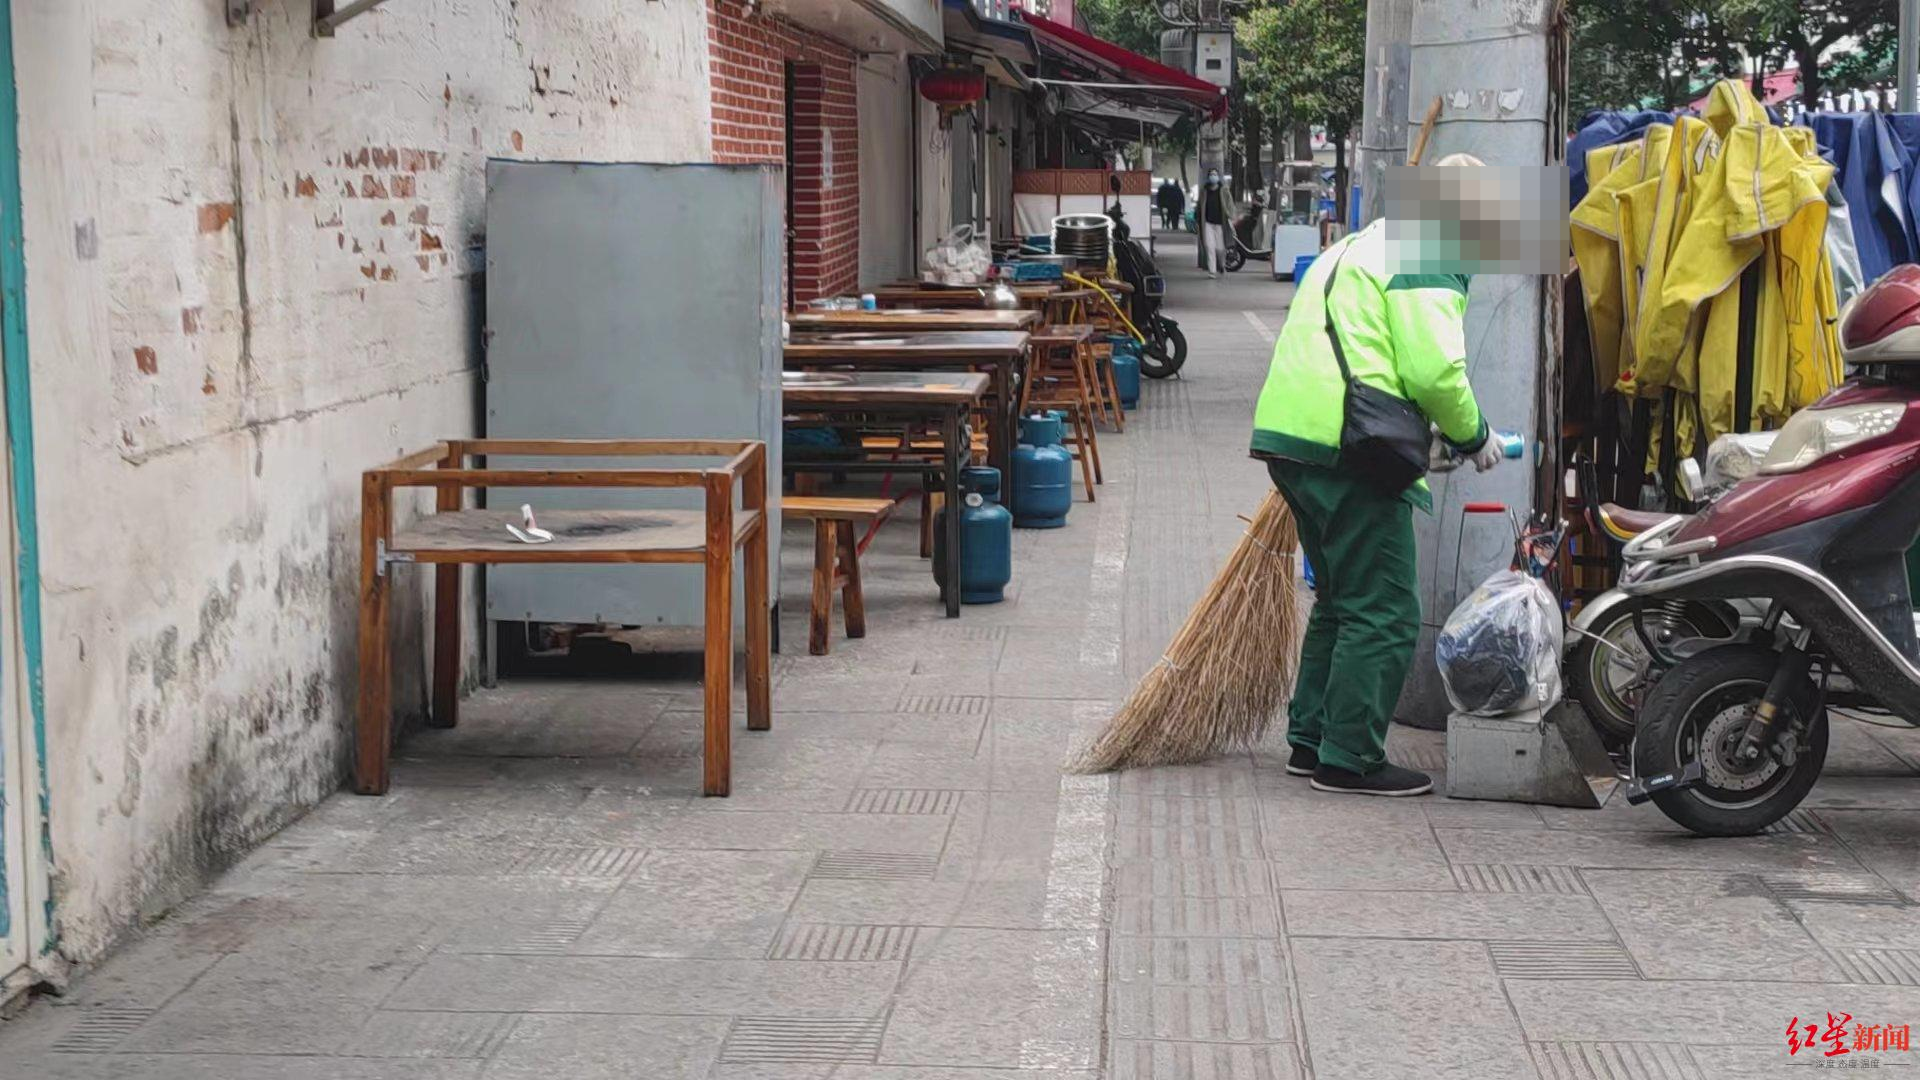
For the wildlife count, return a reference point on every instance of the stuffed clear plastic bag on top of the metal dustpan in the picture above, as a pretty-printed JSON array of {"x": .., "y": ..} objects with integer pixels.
[{"x": 1500, "y": 649}]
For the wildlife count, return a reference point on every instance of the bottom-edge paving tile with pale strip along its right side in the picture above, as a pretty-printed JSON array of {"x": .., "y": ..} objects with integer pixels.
[{"x": 999, "y": 998}]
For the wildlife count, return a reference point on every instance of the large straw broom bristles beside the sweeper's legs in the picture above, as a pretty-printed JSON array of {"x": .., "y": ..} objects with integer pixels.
[{"x": 1230, "y": 668}]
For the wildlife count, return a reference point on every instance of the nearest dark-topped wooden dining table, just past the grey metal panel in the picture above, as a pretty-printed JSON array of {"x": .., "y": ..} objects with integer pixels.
[{"x": 848, "y": 397}]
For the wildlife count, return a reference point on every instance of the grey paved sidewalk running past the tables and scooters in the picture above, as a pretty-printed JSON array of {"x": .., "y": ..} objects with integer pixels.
[{"x": 903, "y": 885}]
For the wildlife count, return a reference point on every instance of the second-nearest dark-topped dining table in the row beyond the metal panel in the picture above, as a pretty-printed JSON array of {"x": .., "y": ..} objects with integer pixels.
[{"x": 1001, "y": 353}]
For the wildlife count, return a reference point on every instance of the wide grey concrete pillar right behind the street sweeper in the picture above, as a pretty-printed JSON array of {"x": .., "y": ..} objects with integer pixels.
[{"x": 1489, "y": 66}]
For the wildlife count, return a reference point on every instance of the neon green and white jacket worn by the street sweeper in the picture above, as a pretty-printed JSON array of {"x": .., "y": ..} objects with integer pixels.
[{"x": 1403, "y": 333}]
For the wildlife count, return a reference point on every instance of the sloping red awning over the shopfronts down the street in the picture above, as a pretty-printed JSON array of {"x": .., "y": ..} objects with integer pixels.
[{"x": 1103, "y": 80}]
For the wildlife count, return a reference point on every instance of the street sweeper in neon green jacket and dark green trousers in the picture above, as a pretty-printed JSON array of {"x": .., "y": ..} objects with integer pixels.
[{"x": 1360, "y": 333}]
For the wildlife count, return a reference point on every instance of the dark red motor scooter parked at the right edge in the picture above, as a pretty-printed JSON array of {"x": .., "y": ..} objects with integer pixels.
[{"x": 1735, "y": 737}]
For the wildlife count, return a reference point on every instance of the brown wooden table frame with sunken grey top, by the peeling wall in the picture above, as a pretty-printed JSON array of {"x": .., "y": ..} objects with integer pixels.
[{"x": 456, "y": 535}]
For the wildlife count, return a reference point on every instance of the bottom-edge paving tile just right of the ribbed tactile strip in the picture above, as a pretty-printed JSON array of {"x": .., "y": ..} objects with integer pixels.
[{"x": 1403, "y": 1010}]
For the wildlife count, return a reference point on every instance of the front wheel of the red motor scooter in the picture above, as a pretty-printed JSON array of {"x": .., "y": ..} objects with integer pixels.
[{"x": 1698, "y": 714}]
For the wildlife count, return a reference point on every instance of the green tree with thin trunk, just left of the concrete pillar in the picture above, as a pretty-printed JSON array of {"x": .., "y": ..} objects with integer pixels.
[{"x": 1305, "y": 62}]
